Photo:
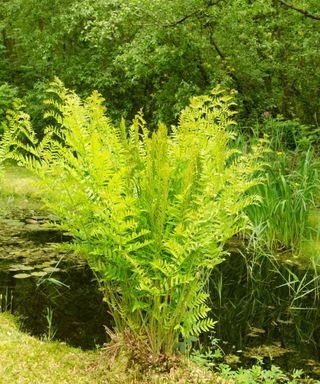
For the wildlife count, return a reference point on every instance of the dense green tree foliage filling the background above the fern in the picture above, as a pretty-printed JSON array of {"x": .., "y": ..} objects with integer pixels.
[{"x": 158, "y": 54}]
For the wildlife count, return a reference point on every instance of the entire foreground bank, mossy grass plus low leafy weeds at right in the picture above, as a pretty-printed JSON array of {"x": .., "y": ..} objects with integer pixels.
[{"x": 27, "y": 360}]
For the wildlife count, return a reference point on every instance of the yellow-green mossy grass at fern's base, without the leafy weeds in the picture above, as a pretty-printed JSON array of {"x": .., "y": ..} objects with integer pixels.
[{"x": 27, "y": 360}]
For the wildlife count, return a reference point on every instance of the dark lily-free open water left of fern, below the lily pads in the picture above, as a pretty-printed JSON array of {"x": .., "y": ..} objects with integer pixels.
[{"x": 78, "y": 312}]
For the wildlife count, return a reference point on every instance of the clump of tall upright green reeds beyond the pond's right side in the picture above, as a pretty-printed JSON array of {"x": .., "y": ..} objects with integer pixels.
[{"x": 281, "y": 221}]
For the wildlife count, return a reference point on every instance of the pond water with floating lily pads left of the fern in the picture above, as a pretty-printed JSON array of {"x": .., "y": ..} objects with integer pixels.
[{"x": 37, "y": 279}]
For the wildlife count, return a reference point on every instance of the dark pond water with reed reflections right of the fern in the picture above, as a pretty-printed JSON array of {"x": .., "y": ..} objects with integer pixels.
[{"x": 263, "y": 314}]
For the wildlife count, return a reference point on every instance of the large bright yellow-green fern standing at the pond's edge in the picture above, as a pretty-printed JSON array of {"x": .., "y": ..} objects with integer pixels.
[{"x": 149, "y": 211}]
